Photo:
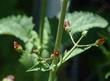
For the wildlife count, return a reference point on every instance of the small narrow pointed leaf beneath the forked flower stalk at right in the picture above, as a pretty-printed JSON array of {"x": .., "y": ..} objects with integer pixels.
[{"x": 75, "y": 52}]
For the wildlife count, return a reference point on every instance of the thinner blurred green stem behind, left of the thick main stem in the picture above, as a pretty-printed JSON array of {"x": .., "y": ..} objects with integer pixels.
[{"x": 42, "y": 20}]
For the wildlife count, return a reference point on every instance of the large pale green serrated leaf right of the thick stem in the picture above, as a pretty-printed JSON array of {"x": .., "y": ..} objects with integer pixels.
[{"x": 80, "y": 21}]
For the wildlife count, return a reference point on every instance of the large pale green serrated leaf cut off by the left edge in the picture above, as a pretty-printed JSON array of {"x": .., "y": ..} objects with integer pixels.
[{"x": 18, "y": 26}]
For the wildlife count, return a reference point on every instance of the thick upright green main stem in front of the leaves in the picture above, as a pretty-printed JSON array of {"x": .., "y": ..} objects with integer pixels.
[{"x": 52, "y": 75}]
